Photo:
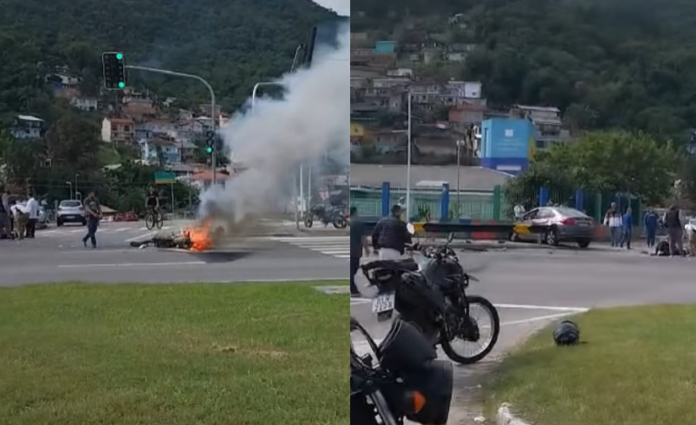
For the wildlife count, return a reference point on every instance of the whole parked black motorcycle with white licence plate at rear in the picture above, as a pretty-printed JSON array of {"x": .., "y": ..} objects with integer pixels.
[{"x": 434, "y": 299}]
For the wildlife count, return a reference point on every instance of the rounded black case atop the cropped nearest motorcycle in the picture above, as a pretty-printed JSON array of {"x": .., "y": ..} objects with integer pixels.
[{"x": 405, "y": 348}]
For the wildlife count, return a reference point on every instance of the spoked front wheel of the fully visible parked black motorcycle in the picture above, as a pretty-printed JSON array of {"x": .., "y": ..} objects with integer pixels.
[{"x": 475, "y": 303}]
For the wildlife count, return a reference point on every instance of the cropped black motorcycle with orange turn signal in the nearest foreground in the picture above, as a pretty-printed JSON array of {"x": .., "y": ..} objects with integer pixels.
[{"x": 403, "y": 381}]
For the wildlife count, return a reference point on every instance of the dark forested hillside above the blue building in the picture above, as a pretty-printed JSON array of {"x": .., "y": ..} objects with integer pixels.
[{"x": 606, "y": 63}]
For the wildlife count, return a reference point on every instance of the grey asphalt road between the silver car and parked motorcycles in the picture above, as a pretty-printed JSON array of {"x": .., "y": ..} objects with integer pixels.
[{"x": 535, "y": 287}]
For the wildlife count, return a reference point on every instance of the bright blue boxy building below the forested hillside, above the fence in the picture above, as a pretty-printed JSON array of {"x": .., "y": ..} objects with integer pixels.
[{"x": 506, "y": 144}]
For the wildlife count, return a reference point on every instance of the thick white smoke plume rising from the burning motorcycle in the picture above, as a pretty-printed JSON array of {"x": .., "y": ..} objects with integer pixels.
[{"x": 273, "y": 139}]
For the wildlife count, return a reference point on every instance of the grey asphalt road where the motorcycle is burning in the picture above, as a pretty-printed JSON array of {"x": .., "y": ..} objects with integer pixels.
[{"x": 57, "y": 255}]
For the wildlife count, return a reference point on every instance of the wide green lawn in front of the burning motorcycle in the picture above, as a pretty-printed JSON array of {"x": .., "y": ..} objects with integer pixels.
[{"x": 198, "y": 354}]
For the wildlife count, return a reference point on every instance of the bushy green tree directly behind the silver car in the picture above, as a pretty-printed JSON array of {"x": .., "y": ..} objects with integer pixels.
[{"x": 604, "y": 162}]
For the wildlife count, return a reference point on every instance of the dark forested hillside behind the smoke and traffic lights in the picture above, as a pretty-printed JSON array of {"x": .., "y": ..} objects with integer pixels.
[{"x": 233, "y": 44}]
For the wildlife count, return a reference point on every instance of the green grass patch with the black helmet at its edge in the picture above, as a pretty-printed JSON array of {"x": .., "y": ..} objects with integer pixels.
[{"x": 637, "y": 367}]
